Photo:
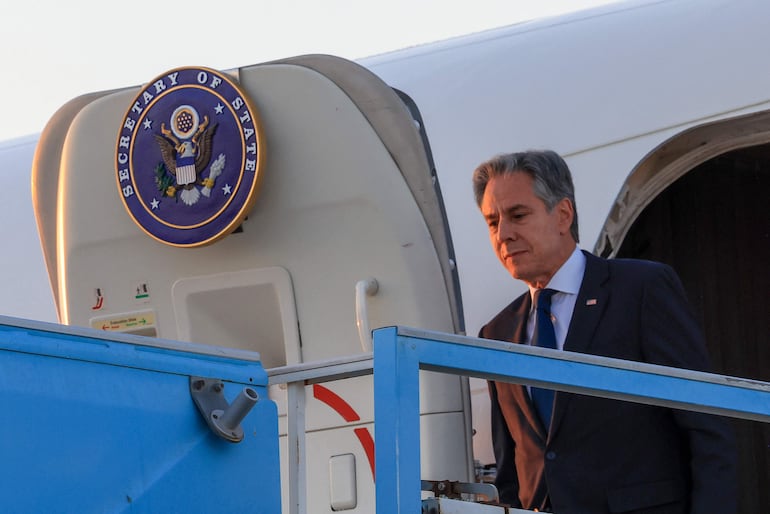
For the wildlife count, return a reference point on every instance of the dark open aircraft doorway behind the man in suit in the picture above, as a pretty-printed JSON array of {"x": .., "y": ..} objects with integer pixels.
[{"x": 712, "y": 224}]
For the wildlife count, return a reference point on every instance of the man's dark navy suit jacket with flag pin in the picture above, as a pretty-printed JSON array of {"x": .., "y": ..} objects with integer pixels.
[{"x": 602, "y": 455}]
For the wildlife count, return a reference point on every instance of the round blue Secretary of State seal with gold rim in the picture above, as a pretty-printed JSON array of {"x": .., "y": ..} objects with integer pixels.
[{"x": 189, "y": 157}]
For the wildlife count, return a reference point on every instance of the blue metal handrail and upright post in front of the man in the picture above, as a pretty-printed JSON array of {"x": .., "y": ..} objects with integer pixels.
[{"x": 399, "y": 354}]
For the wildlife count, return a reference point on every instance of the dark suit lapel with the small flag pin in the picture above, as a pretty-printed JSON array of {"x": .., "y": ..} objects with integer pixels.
[{"x": 590, "y": 306}]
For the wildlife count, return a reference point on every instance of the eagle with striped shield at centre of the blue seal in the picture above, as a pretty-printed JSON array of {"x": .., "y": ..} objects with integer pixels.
[{"x": 186, "y": 152}]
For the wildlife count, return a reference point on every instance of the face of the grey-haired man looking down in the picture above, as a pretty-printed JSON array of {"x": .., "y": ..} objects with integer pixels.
[{"x": 531, "y": 242}]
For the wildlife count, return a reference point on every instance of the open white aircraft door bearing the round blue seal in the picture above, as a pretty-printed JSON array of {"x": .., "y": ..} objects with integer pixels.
[{"x": 295, "y": 210}]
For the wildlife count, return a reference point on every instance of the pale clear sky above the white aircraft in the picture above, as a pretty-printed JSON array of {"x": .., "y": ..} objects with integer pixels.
[{"x": 54, "y": 51}]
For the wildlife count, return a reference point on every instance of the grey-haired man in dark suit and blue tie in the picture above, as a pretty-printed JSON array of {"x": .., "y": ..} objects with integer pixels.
[{"x": 587, "y": 454}]
